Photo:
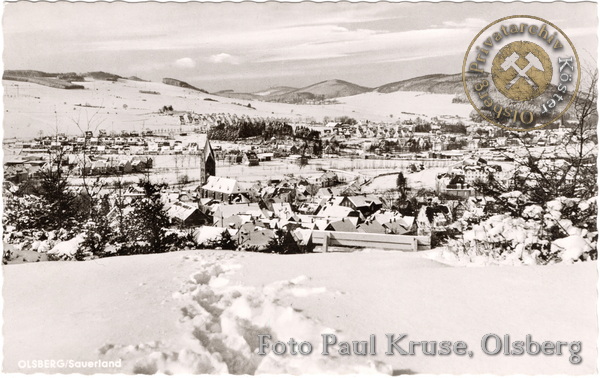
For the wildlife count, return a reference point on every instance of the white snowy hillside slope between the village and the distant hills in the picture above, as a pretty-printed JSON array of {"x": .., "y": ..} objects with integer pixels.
[{"x": 31, "y": 108}]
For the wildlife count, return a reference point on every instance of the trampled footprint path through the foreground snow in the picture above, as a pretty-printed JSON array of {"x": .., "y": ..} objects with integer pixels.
[{"x": 220, "y": 324}]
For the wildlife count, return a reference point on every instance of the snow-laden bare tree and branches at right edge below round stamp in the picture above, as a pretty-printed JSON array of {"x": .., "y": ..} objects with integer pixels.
[{"x": 568, "y": 169}]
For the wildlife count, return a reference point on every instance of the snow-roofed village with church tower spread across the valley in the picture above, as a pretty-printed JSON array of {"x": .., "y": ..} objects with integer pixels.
[{"x": 416, "y": 178}]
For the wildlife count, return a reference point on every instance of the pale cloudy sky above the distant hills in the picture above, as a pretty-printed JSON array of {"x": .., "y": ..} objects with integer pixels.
[{"x": 253, "y": 46}]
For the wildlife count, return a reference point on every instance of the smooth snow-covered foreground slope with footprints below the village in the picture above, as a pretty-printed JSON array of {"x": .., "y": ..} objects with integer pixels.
[{"x": 201, "y": 311}]
